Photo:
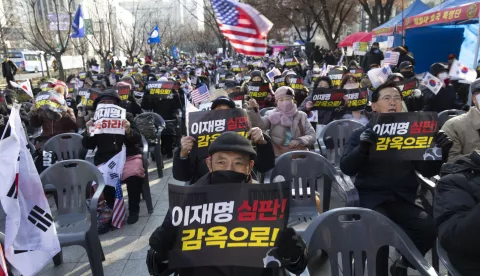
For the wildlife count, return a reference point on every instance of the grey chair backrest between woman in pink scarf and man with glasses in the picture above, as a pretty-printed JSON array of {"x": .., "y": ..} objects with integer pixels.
[{"x": 339, "y": 131}]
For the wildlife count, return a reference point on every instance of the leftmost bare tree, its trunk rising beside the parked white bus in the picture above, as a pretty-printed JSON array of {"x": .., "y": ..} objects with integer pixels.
[{"x": 51, "y": 36}]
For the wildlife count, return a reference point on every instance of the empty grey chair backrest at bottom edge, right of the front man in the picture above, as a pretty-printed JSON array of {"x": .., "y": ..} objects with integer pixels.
[{"x": 358, "y": 233}]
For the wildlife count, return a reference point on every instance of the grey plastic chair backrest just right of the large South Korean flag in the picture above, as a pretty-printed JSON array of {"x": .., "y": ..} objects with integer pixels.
[{"x": 71, "y": 178}]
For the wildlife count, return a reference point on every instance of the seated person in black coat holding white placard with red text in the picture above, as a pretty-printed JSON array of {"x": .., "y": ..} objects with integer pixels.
[{"x": 104, "y": 134}]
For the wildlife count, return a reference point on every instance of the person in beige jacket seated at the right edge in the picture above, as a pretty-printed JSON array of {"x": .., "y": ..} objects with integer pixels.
[{"x": 464, "y": 129}]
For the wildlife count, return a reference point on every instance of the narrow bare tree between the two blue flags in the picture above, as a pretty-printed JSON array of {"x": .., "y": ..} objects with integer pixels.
[{"x": 103, "y": 18}]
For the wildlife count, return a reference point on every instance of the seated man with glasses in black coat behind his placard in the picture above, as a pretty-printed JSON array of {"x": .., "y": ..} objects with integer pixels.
[{"x": 390, "y": 186}]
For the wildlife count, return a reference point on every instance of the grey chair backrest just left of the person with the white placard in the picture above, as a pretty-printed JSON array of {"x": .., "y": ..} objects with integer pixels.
[{"x": 66, "y": 146}]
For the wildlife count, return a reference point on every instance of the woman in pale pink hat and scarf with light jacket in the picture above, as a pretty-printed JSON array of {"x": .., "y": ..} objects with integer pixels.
[{"x": 289, "y": 128}]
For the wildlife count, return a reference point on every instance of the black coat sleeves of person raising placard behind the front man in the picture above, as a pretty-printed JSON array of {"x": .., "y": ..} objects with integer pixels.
[{"x": 192, "y": 169}]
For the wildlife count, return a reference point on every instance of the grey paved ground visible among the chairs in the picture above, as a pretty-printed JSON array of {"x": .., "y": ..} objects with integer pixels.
[{"x": 125, "y": 249}]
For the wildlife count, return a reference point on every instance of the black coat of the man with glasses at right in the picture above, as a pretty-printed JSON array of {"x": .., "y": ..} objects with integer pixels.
[{"x": 378, "y": 181}]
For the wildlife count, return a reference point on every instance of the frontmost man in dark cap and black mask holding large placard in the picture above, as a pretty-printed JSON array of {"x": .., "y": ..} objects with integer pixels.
[{"x": 231, "y": 159}]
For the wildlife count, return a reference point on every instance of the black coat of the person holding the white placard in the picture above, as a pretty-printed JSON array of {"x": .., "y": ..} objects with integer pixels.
[{"x": 108, "y": 145}]
